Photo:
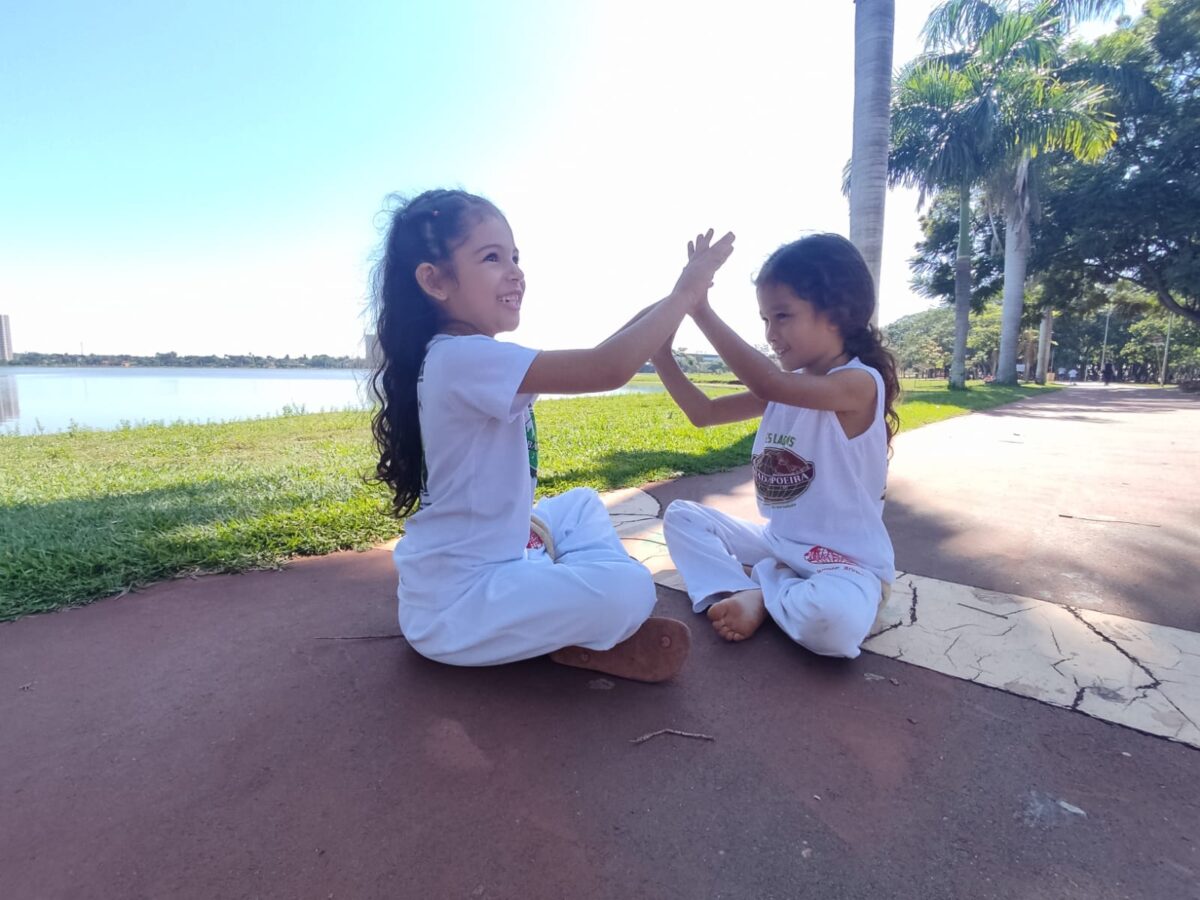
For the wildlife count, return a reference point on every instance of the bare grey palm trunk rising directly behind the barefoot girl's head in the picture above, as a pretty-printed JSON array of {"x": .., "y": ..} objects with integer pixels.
[{"x": 874, "y": 25}]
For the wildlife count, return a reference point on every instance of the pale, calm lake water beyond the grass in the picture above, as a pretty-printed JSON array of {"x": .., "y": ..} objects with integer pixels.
[{"x": 37, "y": 400}]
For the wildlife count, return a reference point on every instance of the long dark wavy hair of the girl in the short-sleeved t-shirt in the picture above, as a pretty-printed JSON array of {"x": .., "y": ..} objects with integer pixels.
[{"x": 427, "y": 229}]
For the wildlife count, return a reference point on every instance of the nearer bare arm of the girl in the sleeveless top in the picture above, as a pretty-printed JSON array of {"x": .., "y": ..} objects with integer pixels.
[{"x": 847, "y": 392}]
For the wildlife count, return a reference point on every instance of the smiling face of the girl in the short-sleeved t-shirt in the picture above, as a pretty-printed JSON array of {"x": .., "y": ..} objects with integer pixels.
[{"x": 483, "y": 293}]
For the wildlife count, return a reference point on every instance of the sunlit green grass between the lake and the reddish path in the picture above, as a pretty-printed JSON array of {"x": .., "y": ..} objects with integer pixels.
[{"x": 92, "y": 514}]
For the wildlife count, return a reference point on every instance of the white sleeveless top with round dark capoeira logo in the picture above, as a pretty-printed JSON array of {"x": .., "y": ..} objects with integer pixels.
[{"x": 819, "y": 488}]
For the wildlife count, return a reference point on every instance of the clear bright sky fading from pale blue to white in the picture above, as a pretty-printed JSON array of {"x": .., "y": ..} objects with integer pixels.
[{"x": 209, "y": 177}]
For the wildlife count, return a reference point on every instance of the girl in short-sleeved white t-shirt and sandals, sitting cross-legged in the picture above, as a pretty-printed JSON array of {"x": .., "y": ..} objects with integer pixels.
[{"x": 485, "y": 575}]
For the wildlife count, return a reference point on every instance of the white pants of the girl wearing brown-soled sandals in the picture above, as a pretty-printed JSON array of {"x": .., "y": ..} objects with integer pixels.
[{"x": 595, "y": 596}]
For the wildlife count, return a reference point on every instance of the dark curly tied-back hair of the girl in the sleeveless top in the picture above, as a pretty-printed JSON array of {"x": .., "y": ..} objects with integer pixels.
[{"x": 830, "y": 273}]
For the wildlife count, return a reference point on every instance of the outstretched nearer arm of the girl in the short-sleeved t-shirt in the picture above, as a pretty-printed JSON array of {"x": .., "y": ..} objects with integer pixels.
[{"x": 616, "y": 361}]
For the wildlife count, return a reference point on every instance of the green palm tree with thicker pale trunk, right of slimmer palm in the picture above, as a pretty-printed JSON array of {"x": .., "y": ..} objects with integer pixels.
[{"x": 1034, "y": 110}]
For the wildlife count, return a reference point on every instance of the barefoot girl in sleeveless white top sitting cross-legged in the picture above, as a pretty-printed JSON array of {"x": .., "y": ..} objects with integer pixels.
[{"x": 824, "y": 562}]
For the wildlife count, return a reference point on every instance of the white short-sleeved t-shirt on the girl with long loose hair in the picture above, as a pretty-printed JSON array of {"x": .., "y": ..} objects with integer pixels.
[{"x": 481, "y": 443}]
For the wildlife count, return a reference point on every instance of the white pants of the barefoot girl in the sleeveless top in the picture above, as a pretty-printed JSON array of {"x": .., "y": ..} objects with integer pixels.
[{"x": 827, "y": 609}]
